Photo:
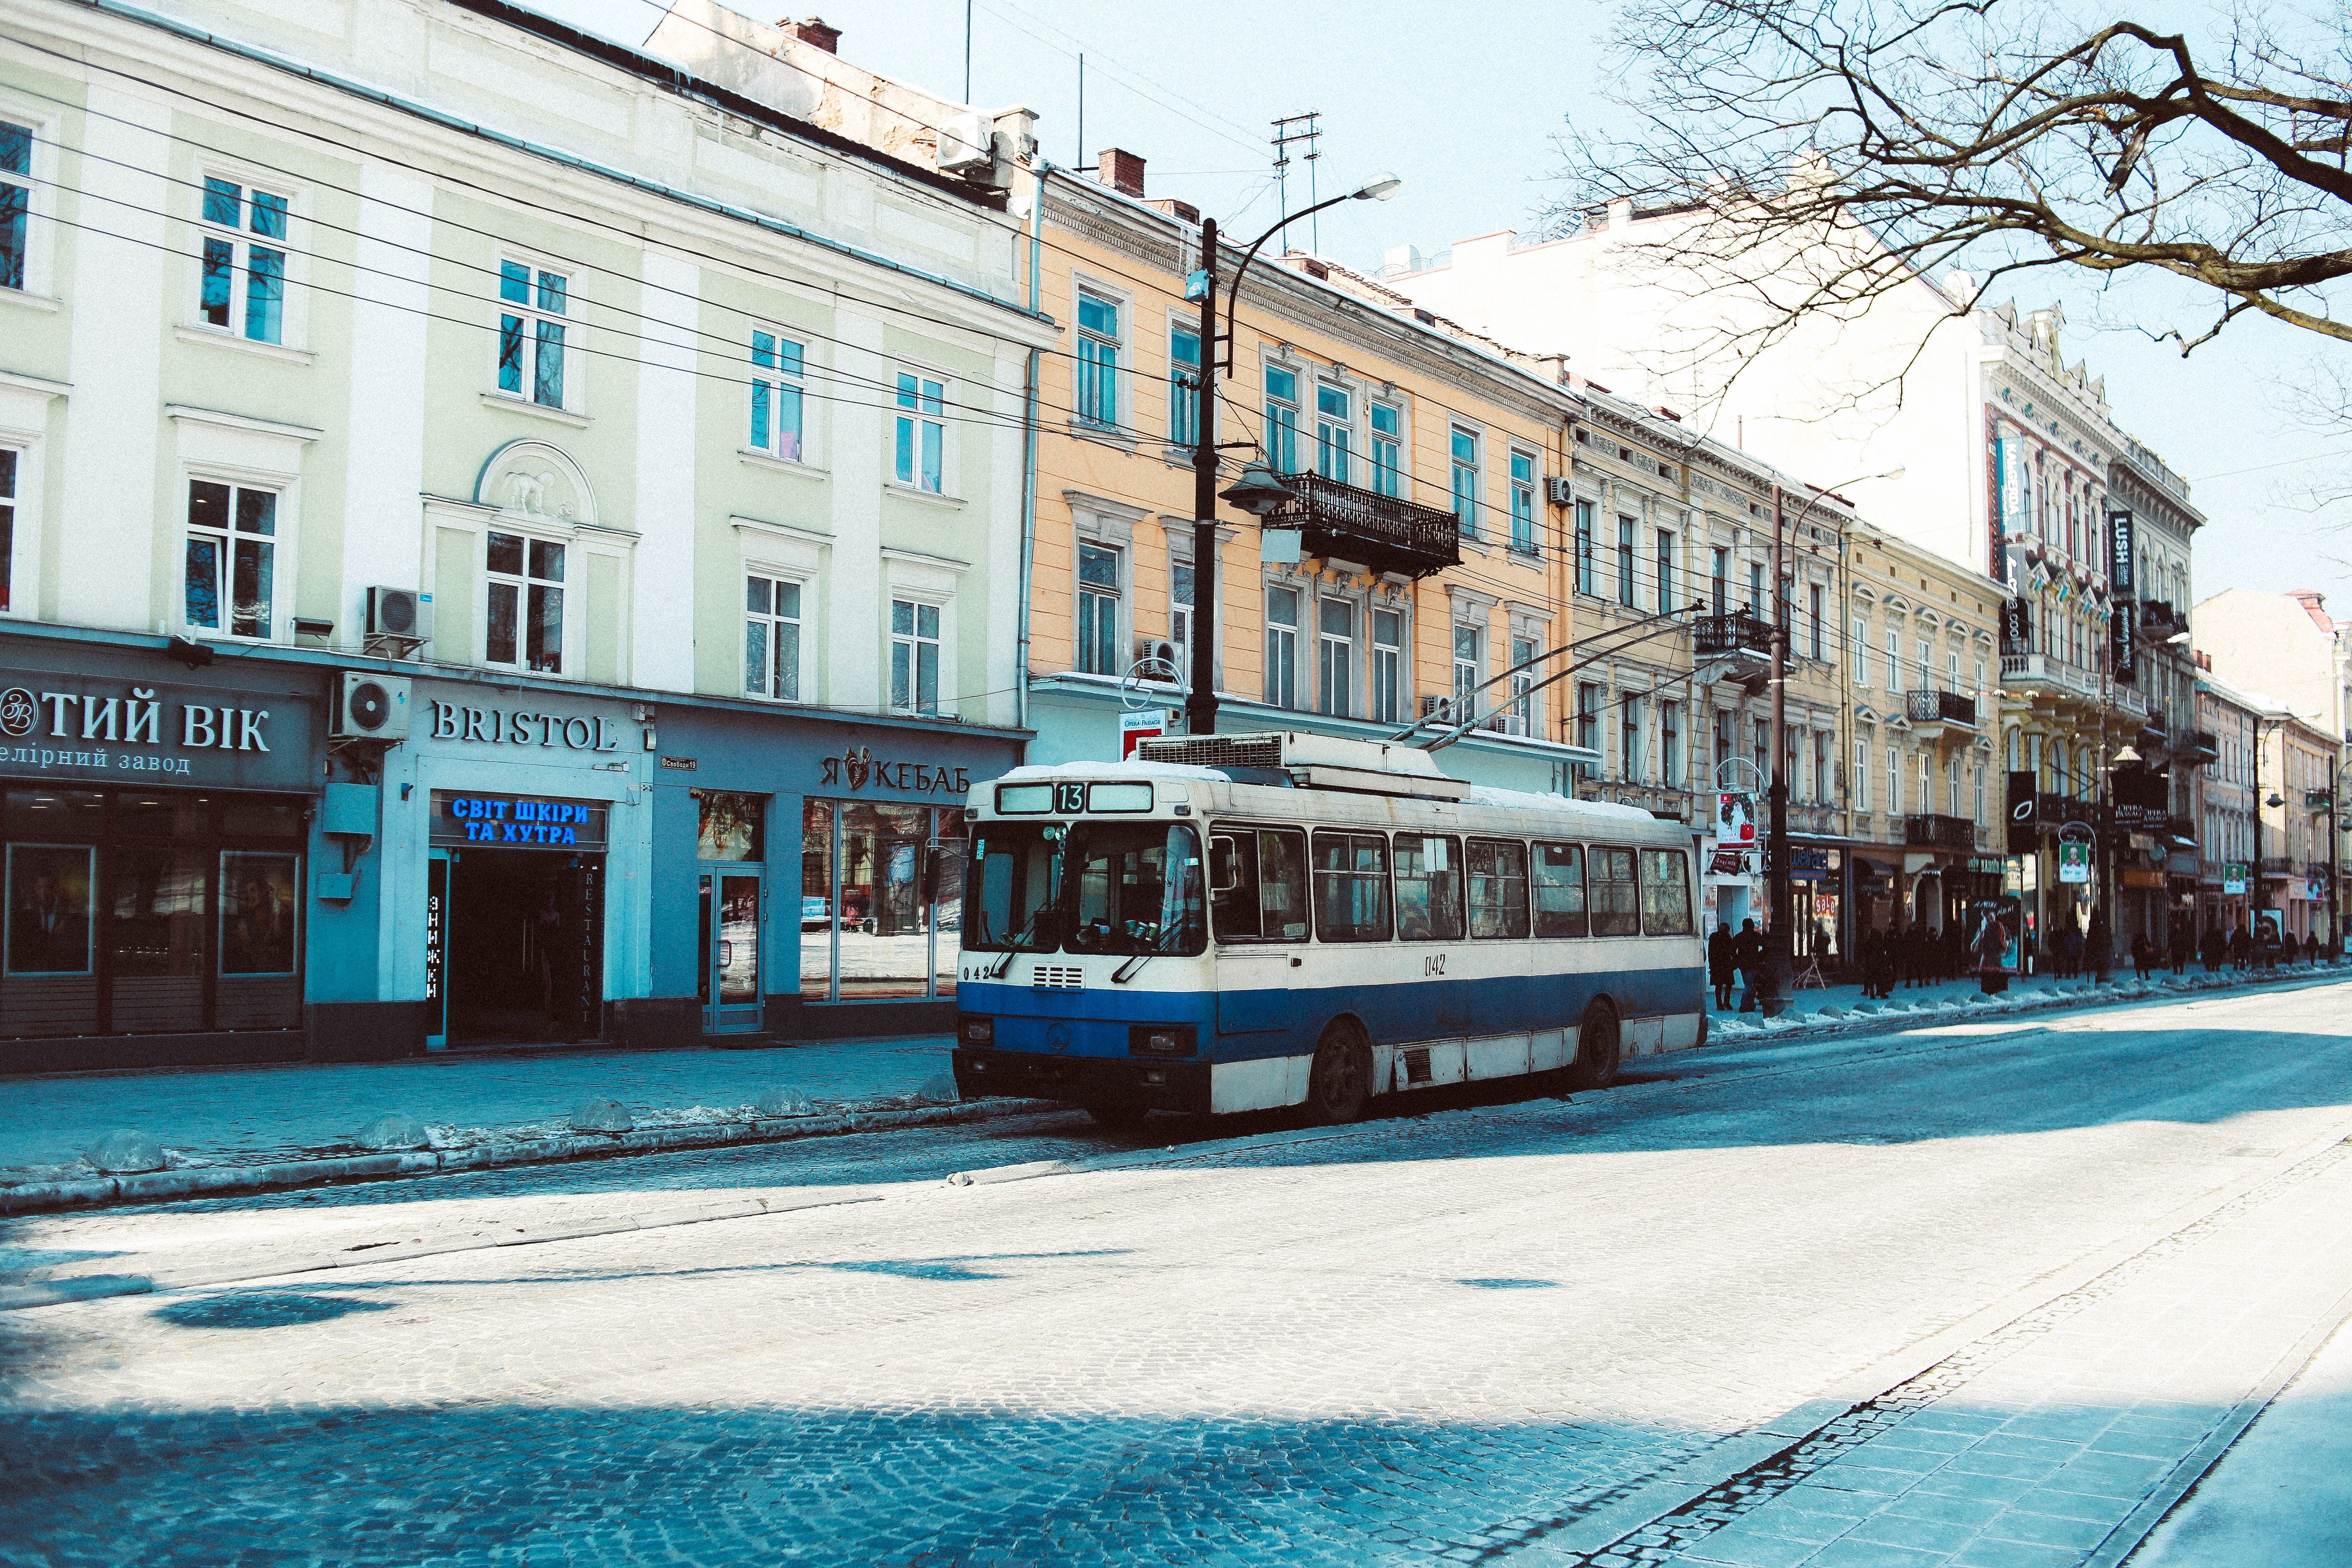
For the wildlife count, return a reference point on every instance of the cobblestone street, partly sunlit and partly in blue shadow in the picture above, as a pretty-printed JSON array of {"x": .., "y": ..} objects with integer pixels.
[{"x": 1977, "y": 1294}]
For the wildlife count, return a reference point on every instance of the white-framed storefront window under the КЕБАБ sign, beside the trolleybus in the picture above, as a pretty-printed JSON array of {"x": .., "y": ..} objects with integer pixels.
[{"x": 881, "y": 913}]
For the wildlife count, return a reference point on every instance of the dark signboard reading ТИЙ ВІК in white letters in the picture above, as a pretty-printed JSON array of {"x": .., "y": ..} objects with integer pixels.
[{"x": 105, "y": 730}]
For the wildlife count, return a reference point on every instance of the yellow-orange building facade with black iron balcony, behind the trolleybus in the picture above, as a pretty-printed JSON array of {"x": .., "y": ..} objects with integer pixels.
[{"x": 1429, "y": 471}]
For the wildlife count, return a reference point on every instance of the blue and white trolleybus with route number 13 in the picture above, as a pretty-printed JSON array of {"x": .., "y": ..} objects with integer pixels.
[{"x": 1243, "y": 923}]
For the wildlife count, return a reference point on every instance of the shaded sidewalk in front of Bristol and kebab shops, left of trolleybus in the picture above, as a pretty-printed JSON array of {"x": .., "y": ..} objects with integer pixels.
[{"x": 309, "y": 1111}]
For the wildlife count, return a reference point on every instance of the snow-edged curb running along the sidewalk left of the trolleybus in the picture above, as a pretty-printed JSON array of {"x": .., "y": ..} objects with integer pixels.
[{"x": 166, "y": 1186}]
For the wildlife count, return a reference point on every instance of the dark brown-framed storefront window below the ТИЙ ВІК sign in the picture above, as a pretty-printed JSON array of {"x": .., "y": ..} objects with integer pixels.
[{"x": 152, "y": 913}]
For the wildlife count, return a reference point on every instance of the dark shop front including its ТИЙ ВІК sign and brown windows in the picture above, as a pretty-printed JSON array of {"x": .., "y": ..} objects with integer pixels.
[{"x": 156, "y": 840}]
